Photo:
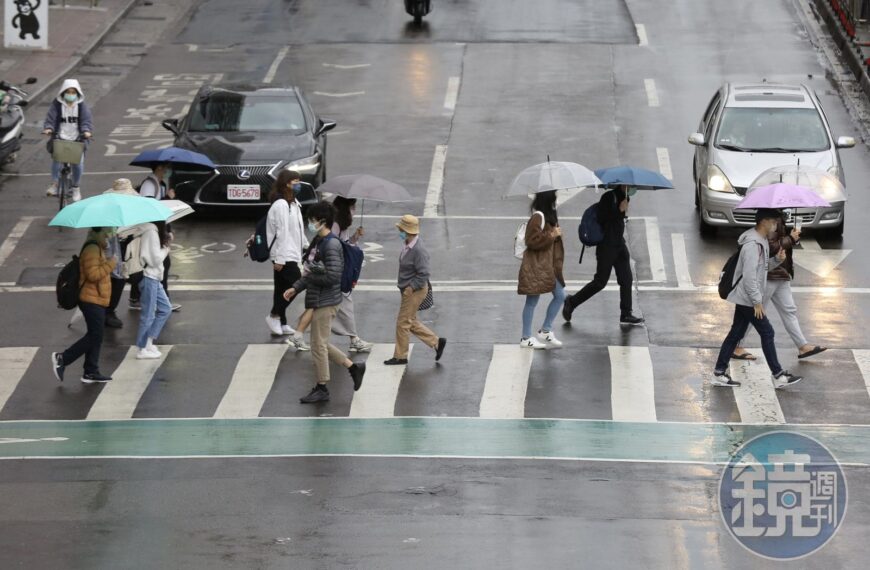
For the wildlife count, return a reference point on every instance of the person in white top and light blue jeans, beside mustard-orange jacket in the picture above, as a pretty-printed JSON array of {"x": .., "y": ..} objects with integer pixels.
[{"x": 155, "y": 303}]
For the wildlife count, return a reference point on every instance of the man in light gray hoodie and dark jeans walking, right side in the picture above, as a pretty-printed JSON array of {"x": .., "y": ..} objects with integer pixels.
[{"x": 750, "y": 281}]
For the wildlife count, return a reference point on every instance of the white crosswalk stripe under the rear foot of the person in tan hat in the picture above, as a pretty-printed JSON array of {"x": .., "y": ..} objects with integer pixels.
[{"x": 377, "y": 396}]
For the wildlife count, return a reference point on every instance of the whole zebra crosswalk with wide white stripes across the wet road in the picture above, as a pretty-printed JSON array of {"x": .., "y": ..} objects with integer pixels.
[{"x": 645, "y": 384}]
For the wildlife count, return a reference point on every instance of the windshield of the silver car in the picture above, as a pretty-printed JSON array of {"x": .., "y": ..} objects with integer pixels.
[{"x": 748, "y": 129}]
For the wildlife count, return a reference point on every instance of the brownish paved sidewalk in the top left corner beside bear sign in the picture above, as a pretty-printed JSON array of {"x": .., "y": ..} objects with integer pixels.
[{"x": 74, "y": 32}]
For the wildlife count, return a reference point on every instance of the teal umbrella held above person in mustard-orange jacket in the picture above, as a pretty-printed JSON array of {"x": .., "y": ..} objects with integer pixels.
[{"x": 111, "y": 210}]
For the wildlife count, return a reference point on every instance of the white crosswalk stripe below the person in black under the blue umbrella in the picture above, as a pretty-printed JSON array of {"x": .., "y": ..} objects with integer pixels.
[{"x": 632, "y": 386}]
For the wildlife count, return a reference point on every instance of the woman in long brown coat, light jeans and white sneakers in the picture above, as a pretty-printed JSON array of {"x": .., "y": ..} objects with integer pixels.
[{"x": 541, "y": 270}]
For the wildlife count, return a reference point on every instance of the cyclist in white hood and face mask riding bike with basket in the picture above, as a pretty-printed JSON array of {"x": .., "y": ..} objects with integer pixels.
[{"x": 69, "y": 118}]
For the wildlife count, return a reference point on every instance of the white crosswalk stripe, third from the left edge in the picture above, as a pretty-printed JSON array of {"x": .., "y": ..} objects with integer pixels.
[{"x": 252, "y": 381}]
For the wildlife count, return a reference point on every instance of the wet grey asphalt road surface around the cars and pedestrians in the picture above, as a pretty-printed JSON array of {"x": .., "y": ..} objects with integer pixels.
[{"x": 564, "y": 78}]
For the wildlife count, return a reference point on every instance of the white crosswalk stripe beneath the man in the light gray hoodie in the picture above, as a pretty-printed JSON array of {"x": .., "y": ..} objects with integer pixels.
[{"x": 756, "y": 397}]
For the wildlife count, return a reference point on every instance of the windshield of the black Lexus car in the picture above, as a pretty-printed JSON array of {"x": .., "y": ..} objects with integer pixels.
[{"x": 234, "y": 112}]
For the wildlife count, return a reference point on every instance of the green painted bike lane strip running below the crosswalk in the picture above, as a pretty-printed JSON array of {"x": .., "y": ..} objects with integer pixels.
[{"x": 407, "y": 437}]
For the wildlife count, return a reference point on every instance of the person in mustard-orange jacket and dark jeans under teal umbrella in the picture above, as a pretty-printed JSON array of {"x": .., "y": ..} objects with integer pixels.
[{"x": 95, "y": 291}]
